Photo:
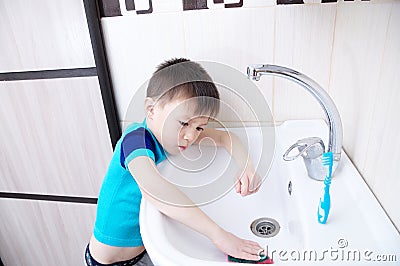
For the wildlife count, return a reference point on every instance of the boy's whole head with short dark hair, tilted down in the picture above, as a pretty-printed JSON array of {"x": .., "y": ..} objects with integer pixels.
[{"x": 181, "y": 98}]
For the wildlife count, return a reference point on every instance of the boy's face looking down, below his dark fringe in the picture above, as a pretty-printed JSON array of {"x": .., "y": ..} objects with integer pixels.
[{"x": 175, "y": 124}]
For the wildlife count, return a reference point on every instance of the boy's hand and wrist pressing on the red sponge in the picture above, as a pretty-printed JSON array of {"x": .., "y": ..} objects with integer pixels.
[{"x": 237, "y": 247}]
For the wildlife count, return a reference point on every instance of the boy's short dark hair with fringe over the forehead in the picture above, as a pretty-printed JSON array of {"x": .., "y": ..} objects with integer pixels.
[{"x": 180, "y": 77}]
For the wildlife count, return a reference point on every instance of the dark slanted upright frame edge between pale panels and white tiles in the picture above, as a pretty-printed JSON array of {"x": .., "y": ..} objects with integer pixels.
[{"x": 96, "y": 37}]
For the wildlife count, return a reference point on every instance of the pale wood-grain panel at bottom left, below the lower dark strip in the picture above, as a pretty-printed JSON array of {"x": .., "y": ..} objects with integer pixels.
[{"x": 44, "y": 233}]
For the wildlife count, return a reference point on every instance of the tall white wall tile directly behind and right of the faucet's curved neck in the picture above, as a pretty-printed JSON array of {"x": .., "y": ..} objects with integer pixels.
[{"x": 356, "y": 64}]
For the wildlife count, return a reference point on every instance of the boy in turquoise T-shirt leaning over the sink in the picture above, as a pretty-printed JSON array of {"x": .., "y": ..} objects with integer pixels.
[{"x": 180, "y": 100}]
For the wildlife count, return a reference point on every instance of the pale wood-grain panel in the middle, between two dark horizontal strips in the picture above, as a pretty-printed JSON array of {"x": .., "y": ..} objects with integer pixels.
[{"x": 54, "y": 137}]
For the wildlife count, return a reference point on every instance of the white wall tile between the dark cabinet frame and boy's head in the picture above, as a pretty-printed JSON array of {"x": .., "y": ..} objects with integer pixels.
[{"x": 135, "y": 46}]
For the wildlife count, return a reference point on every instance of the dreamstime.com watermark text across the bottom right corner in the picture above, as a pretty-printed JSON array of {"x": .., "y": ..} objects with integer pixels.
[{"x": 339, "y": 253}]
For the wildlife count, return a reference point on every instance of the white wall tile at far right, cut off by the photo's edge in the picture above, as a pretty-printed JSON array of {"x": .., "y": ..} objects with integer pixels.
[{"x": 383, "y": 151}]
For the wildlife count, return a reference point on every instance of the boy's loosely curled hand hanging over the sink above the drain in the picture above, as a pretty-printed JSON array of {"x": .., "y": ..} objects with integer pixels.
[{"x": 247, "y": 181}]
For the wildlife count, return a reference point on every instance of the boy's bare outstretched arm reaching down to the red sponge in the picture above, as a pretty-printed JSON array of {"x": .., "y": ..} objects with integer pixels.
[{"x": 156, "y": 189}]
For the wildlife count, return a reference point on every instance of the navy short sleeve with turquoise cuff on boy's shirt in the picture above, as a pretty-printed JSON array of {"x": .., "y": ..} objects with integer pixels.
[{"x": 137, "y": 143}]
